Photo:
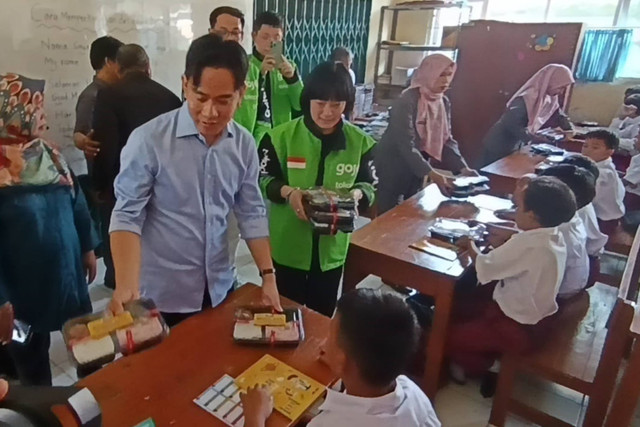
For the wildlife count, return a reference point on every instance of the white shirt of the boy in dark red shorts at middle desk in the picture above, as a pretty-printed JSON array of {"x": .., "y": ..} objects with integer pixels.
[{"x": 529, "y": 268}]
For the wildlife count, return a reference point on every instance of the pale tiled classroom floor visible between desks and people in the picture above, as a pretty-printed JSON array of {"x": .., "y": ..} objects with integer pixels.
[{"x": 457, "y": 406}]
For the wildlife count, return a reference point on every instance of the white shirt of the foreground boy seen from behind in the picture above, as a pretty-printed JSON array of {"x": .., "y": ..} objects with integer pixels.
[{"x": 406, "y": 406}]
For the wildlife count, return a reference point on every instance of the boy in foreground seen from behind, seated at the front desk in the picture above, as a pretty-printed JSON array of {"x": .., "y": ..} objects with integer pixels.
[{"x": 371, "y": 340}]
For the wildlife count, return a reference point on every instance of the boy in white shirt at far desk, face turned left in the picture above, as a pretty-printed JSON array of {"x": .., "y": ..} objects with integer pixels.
[{"x": 599, "y": 146}]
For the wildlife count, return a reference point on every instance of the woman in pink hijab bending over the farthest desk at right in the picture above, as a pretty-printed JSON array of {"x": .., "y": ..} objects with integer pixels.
[{"x": 534, "y": 107}]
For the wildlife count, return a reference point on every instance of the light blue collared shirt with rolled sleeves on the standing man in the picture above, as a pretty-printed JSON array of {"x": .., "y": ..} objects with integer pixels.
[{"x": 176, "y": 192}]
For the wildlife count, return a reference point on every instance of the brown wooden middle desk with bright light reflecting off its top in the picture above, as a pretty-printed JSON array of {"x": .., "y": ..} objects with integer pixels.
[{"x": 382, "y": 248}]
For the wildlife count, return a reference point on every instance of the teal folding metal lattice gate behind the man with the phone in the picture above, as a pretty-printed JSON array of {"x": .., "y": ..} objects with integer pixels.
[{"x": 313, "y": 28}]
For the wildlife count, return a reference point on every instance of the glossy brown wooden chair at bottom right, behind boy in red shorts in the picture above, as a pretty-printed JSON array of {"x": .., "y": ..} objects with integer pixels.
[{"x": 583, "y": 354}]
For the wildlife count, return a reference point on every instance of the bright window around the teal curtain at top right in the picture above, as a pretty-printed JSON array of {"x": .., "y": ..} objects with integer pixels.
[{"x": 596, "y": 14}]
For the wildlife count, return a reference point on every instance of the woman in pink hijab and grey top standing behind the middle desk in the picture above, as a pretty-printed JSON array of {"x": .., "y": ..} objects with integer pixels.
[{"x": 419, "y": 136}]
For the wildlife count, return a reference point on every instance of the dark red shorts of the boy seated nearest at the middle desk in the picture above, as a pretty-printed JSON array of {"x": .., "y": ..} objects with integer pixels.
[{"x": 481, "y": 333}]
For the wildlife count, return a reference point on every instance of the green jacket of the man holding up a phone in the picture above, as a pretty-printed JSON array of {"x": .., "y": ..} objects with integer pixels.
[{"x": 284, "y": 98}]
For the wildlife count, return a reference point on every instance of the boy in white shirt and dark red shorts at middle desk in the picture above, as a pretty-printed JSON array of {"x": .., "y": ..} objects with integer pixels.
[{"x": 525, "y": 273}]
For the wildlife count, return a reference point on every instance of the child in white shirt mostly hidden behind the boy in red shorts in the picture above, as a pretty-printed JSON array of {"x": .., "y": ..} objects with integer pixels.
[{"x": 578, "y": 270}]
